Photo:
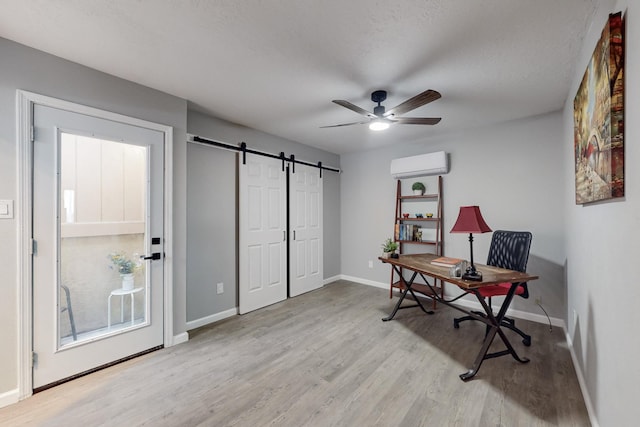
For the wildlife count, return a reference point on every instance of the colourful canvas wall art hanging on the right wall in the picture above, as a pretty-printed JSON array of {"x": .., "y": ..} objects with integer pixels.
[{"x": 598, "y": 112}]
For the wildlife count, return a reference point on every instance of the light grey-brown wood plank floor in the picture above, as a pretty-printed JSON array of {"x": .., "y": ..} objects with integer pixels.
[{"x": 324, "y": 359}]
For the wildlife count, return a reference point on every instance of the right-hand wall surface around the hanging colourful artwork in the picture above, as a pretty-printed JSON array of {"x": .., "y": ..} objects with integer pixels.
[{"x": 602, "y": 250}]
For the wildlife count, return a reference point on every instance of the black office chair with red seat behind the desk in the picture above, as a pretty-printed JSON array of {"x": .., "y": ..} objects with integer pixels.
[{"x": 509, "y": 249}]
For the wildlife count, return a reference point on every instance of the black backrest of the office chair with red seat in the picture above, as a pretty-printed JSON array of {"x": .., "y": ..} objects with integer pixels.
[{"x": 510, "y": 249}]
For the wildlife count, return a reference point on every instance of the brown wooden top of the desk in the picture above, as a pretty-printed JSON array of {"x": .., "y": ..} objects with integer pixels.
[{"x": 490, "y": 275}]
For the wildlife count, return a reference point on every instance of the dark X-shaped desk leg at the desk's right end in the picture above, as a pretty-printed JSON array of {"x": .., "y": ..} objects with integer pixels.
[{"x": 494, "y": 323}]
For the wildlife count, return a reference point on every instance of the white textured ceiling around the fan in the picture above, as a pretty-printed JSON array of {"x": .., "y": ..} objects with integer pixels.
[{"x": 276, "y": 65}]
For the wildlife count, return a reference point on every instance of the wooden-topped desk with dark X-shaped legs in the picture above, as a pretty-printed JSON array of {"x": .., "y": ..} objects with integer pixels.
[{"x": 420, "y": 265}]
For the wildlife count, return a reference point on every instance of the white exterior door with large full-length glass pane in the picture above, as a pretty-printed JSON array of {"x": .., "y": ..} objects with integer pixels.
[{"x": 97, "y": 208}]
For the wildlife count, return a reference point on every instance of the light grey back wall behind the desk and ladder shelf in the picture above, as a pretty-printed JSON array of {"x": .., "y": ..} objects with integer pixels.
[{"x": 512, "y": 171}]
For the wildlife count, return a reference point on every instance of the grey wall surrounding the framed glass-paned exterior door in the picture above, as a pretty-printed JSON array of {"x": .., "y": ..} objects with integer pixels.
[{"x": 31, "y": 70}]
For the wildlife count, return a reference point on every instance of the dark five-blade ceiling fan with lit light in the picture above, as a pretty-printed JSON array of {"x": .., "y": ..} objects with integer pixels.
[{"x": 381, "y": 119}]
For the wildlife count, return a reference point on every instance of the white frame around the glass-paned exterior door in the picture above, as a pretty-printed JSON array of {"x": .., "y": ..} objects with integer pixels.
[{"x": 24, "y": 132}]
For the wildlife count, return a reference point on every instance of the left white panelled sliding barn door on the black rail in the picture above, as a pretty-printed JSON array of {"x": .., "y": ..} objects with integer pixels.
[{"x": 262, "y": 233}]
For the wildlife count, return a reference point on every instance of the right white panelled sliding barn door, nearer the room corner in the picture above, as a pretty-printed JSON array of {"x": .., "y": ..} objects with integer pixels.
[{"x": 305, "y": 219}]
